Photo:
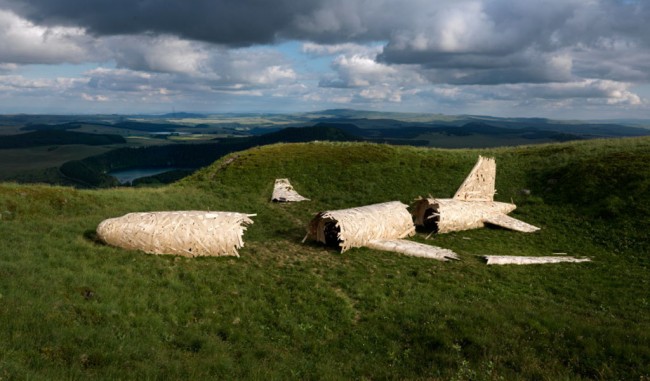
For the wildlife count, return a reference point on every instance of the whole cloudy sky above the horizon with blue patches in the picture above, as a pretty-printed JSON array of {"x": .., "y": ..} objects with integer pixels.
[{"x": 563, "y": 59}]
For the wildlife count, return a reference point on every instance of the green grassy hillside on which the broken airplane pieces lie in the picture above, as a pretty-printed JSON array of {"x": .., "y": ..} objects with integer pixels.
[{"x": 71, "y": 308}]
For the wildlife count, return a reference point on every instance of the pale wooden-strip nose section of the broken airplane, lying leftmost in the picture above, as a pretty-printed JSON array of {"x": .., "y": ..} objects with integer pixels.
[{"x": 186, "y": 233}]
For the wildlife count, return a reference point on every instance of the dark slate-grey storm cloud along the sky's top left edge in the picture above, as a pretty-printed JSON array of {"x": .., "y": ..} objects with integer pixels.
[{"x": 228, "y": 22}]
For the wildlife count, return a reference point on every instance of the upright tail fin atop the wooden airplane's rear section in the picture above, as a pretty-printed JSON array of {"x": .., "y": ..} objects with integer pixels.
[{"x": 479, "y": 184}]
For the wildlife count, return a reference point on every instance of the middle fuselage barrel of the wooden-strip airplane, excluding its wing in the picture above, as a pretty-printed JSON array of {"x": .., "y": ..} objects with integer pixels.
[{"x": 358, "y": 226}]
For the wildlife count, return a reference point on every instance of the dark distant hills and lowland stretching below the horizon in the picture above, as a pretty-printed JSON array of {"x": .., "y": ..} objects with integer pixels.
[{"x": 236, "y": 132}]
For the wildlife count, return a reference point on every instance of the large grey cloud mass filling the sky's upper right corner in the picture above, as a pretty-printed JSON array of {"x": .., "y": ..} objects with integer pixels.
[{"x": 509, "y": 41}]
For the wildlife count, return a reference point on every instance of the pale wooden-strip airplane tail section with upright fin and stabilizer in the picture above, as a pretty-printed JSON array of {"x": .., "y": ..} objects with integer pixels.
[{"x": 471, "y": 207}]
